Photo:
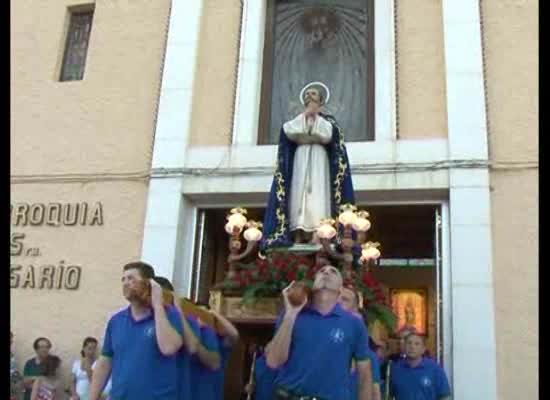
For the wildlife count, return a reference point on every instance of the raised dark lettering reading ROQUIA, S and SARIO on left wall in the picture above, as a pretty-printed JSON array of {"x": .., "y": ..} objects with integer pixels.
[{"x": 40, "y": 275}]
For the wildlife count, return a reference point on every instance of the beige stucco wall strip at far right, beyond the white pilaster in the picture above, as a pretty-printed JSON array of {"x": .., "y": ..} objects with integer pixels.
[{"x": 511, "y": 49}]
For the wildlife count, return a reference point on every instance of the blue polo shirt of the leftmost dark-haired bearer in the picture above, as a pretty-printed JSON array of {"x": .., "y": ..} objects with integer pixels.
[{"x": 139, "y": 370}]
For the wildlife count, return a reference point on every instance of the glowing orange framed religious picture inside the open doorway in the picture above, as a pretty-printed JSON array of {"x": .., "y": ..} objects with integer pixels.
[{"x": 411, "y": 309}]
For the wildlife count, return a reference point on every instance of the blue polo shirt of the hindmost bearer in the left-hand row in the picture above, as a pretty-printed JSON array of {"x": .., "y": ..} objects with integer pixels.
[{"x": 203, "y": 379}]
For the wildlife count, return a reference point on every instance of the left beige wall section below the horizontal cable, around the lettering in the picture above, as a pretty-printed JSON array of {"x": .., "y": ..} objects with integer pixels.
[{"x": 68, "y": 316}]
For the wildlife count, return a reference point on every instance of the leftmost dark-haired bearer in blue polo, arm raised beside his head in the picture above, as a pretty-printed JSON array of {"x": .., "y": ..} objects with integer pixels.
[{"x": 141, "y": 342}]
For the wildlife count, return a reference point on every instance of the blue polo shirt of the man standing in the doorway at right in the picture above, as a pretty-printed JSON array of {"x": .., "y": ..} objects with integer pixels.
[{"x": 426, "y": 381}]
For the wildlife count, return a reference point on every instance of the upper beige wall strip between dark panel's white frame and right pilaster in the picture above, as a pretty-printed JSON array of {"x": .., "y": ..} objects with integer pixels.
[{"x": 420, "y": 68}]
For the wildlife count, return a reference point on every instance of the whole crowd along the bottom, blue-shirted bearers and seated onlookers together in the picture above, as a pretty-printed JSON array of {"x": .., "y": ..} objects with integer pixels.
[{"x": 153, "y": 350}]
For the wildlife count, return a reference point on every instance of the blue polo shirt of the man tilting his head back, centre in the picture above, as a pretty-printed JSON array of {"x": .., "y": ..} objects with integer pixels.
[{"x": 320, "y": 354}]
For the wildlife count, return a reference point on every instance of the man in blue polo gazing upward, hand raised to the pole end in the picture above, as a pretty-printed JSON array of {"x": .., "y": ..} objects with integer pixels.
[{"x": 314, "y": 345}]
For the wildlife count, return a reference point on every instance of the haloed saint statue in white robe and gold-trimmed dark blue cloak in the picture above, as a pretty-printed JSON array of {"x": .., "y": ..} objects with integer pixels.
[{"x": 312, "y": 177}]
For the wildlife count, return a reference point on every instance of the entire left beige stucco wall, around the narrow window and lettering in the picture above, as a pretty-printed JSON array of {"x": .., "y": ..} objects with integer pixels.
[{"x": 97, "y": 128}]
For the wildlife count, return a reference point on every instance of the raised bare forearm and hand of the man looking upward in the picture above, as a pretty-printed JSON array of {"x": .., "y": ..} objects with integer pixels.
[{"x": 276, "y": 353}]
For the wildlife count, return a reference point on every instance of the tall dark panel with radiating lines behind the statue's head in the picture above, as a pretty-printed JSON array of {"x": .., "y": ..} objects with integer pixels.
[{"x": 330, "y": 41}]
